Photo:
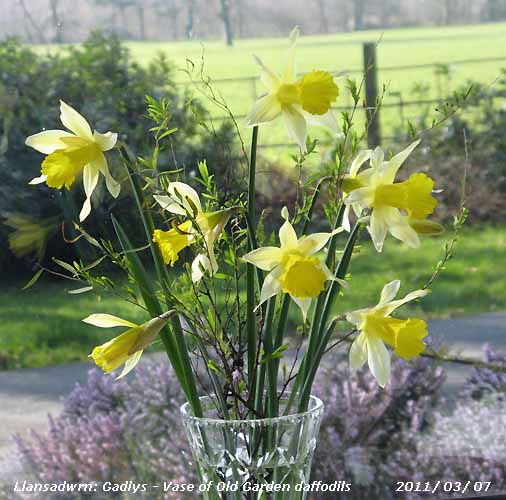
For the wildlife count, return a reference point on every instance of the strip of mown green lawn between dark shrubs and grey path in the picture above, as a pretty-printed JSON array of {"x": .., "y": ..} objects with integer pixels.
[{"x": 42, "y": 325}]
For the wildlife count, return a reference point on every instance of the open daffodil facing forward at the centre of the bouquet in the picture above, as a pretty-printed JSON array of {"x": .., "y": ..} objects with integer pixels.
[{"x": 294, "y": 269}]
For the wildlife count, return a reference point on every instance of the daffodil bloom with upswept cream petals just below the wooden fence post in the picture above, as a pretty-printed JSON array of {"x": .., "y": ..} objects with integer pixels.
[{"x": 398, "y": 208}]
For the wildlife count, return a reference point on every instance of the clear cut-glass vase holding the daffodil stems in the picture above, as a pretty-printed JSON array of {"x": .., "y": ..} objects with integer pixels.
[{"x": 268, "y": 458}]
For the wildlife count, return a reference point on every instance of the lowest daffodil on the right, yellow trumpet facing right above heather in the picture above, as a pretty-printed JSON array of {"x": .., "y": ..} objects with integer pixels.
[{"x": 377, "y": 328}]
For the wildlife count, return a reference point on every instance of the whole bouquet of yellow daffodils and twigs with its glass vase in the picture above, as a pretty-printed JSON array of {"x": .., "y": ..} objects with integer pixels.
[{"x": 219, "y": 291}]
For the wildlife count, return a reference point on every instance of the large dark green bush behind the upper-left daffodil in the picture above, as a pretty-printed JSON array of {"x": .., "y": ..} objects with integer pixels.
[{"x": 99, "y": 79}]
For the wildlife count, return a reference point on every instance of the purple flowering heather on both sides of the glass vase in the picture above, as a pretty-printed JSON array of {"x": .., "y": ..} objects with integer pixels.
[{"x": 371, "y": 437}]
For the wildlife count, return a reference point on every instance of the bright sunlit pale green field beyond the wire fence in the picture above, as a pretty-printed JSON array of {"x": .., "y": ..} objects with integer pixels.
[{"x": 342, "y": 53}]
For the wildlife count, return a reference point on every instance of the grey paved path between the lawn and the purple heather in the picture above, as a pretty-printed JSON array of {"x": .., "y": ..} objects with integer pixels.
[{"x": 27, "y": 396}]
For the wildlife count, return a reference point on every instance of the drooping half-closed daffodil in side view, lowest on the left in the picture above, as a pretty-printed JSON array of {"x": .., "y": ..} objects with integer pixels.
[{"x": 127, "y": 348}]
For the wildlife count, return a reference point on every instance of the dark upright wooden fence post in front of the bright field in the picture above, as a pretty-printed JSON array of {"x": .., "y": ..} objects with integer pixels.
[{"x": 371, "y": 95}]
